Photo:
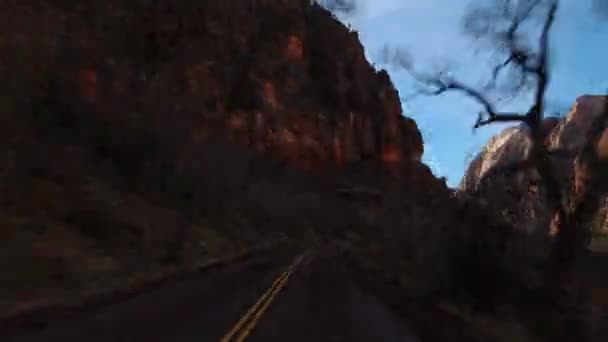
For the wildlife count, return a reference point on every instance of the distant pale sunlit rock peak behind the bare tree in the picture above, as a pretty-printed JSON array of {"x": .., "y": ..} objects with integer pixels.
[{"x": 500, "y": 174}]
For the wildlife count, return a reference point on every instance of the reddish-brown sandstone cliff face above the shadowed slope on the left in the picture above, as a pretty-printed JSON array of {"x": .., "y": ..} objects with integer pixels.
[{"x": 283, "y": 77}]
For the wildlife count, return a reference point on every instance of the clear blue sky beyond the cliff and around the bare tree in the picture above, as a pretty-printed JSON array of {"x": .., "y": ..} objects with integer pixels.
[{"x": 431, "y": 32}]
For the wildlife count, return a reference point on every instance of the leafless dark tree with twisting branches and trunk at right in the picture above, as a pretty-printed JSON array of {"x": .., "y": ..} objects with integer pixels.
[{"x": 517, "y": 32}]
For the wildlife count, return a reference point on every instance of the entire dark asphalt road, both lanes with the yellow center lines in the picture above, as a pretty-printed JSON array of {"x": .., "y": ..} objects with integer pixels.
[{"x": 314, "y": 300}]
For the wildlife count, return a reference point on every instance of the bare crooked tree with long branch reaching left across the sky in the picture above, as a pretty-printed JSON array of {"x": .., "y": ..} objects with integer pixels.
[{"x": 531, "y": 64}]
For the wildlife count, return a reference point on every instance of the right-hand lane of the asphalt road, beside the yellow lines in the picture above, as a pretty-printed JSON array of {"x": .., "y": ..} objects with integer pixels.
[{"x": 321, "y": 302}]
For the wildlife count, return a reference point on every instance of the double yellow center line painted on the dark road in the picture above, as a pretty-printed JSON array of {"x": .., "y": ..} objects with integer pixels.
[{"x": 247, "y": 323}]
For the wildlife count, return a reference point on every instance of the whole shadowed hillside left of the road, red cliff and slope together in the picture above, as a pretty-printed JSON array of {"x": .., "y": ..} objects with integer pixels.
[{"x": 136, "y": 134}]
